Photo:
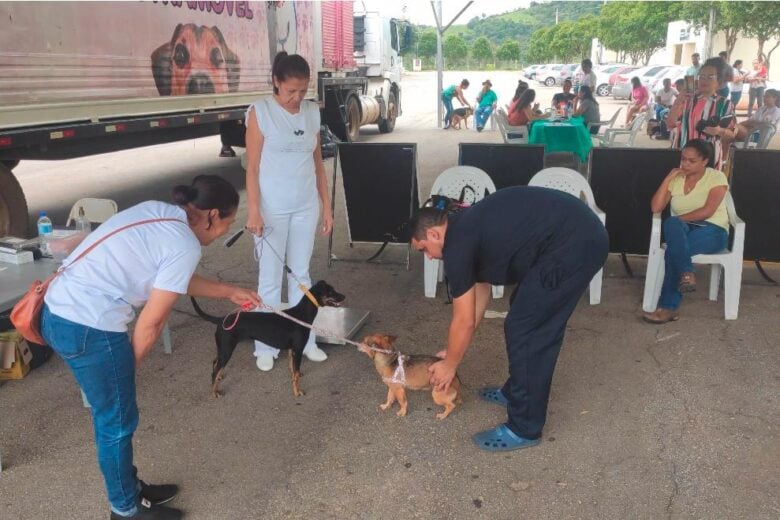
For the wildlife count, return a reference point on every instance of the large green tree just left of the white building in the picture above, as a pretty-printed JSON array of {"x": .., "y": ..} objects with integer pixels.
[{"x": 636, "y": 28}]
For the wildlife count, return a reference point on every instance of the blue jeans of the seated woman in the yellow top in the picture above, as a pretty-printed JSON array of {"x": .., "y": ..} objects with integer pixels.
[{"x": 683, "y": 240}]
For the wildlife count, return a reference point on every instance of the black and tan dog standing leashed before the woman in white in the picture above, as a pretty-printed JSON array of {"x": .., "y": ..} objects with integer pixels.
[{"x": 272, "y": 329}]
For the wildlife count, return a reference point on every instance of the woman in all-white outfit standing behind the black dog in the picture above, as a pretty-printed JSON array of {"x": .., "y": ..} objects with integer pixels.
[{"x": 286, "y": 187}]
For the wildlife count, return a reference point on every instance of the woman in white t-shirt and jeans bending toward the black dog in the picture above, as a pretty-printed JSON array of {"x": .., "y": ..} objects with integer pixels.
[{"x": 89, "y": 305}]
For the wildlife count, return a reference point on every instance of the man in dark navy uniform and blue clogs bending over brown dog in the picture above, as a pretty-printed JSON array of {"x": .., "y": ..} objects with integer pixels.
[{"x": 551, "y": 245}]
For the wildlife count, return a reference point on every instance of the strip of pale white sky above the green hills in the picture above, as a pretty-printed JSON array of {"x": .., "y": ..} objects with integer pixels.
[{"x": 420, "y": 12}]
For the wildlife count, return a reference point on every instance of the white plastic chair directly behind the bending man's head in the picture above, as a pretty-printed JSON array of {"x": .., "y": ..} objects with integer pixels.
[{"x": 450, "y": 183}]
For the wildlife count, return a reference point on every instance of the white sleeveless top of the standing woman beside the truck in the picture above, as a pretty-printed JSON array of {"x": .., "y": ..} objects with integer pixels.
[{"x": 287, "y": 177}]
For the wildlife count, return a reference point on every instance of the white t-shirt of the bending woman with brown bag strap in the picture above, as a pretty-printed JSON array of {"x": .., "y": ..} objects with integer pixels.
[{"x": 101, "y": 289}]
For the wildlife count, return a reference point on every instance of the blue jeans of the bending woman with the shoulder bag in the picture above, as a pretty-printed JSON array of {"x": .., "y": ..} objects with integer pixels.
[{"x": 104, "y": 366}]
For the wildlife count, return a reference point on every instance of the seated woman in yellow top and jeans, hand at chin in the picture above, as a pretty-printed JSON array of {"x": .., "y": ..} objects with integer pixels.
[{"x": 699, "y": 223}]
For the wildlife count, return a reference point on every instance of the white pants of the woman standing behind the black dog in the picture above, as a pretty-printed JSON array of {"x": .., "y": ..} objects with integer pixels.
[{"x": 292, "y": 237}]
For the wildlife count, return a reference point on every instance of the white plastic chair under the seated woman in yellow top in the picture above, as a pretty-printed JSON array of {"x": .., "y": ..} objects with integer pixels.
[{"x": 728, "y": 260}]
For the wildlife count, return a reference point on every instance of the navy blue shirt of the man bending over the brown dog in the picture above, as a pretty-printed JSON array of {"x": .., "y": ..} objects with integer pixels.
[{"x": 499, "y": 239}]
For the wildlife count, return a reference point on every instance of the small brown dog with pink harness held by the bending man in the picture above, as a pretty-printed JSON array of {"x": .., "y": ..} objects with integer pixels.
[{"x": 415, "y": 375}]
